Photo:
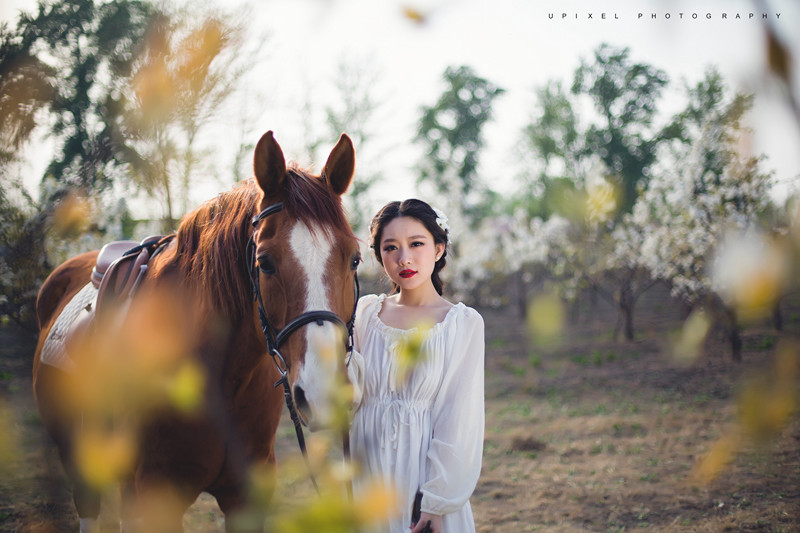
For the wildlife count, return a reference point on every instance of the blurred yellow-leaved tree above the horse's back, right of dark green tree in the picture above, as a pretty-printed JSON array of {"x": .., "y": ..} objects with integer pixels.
[{"x": 187, "y": 69}]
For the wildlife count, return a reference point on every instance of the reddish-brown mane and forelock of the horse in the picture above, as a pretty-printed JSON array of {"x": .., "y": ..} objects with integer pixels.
[{"x": 212, "y": 239}]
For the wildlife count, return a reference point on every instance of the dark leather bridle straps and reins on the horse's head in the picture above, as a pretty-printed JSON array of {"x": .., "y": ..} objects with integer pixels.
[{"x": 275, "y": 339}]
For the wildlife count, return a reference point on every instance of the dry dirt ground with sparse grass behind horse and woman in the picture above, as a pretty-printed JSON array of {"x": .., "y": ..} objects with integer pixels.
[{"x": 584, "y": 434}]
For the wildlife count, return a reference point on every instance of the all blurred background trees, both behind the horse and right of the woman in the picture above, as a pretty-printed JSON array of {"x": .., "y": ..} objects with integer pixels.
[{"x": 614, "y": 194}]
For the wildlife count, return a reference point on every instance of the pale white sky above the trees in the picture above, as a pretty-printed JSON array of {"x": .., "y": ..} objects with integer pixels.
[{"x": 513, "y": 43}]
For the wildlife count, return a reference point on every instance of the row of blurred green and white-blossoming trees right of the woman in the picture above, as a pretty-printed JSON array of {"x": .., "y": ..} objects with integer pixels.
[{"x": 615, "y": 196}]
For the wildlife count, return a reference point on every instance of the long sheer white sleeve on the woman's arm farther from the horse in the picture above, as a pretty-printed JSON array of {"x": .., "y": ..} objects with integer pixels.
[{"x": 456, "y": 449}]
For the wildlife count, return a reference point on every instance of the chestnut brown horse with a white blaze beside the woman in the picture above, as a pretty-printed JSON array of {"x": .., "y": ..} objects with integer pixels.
[{"x": 195, "y": 312}]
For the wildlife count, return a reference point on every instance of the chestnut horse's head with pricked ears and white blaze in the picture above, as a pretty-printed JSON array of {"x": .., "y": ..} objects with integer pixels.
[{"x": 306, "y": 257}]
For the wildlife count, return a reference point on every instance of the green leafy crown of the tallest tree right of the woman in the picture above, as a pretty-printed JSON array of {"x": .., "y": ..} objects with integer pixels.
[{"x": 622, "y": 135}]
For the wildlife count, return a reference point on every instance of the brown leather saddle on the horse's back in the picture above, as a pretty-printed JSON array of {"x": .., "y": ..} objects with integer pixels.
[{"x": 119, "y": 269}]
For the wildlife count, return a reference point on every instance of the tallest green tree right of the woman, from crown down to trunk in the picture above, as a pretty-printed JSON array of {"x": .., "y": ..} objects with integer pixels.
[{"x": 579, "y": 164}]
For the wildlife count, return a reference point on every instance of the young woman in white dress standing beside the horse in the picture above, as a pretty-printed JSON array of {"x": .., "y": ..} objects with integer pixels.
[{"x": 421, "y": 430}]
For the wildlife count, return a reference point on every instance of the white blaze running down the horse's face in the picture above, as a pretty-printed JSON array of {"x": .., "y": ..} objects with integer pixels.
[{"x": 312, "y": 248}]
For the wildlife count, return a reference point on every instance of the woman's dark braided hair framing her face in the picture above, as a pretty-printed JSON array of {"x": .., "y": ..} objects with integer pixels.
[{"x": 418, "y": 210}]
